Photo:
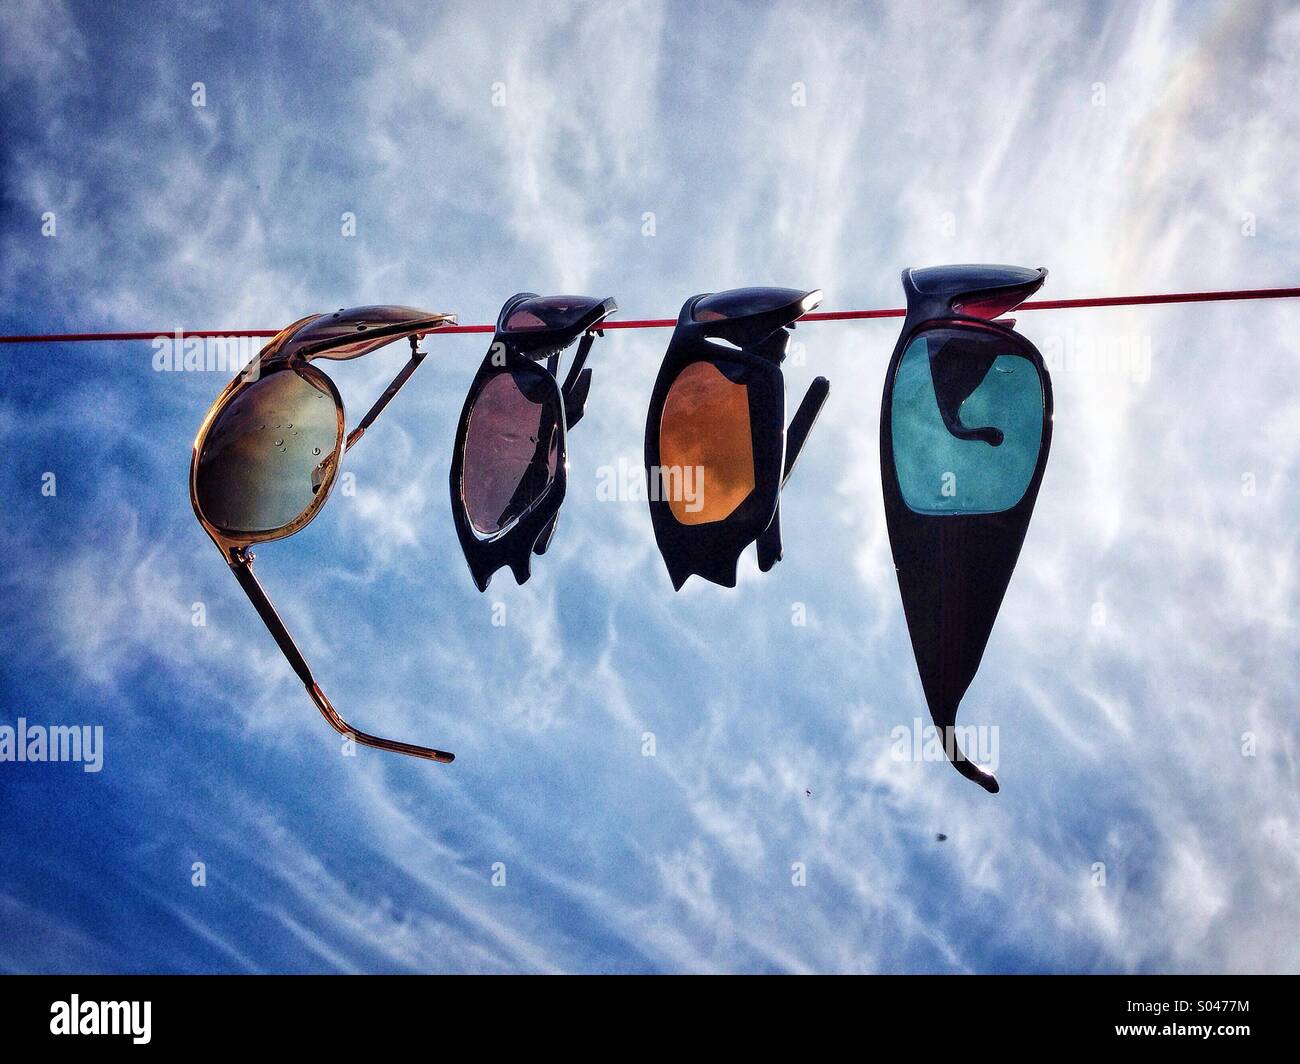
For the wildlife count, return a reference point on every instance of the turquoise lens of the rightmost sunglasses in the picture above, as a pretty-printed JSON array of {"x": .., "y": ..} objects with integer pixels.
[{"x": 967, "y": 422}]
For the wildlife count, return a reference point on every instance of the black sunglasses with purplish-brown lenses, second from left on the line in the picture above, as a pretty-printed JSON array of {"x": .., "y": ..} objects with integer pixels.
[{"x": 510, "y": 460}]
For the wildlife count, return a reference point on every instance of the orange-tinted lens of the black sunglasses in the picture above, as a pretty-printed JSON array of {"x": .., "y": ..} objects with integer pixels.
[{"x": 707, "y": 453}]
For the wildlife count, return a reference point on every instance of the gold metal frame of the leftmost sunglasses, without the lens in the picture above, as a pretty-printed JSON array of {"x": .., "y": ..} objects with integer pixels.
[{"x": 341, "y": 336}]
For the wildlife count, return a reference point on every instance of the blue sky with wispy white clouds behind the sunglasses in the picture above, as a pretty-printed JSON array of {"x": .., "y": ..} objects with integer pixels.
[{"x": 1150, "y": 626}]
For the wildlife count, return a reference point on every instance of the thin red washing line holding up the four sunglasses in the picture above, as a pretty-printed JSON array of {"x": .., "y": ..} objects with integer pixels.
[{"x": 668, "y": 323}]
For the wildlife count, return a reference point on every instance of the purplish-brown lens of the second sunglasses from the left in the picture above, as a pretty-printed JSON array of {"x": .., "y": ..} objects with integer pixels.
[{"x": 513, "y": 448}]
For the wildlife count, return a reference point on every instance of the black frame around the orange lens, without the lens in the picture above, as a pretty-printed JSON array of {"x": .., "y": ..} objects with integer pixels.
[{"x": 713, "y": 551}]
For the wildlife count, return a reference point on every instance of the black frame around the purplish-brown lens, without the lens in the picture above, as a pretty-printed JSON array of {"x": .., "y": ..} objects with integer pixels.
[{"x": 514, "y": 351}]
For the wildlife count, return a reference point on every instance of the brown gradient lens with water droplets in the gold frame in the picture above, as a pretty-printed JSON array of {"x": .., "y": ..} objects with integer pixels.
[{"x": 266, "y": 456}]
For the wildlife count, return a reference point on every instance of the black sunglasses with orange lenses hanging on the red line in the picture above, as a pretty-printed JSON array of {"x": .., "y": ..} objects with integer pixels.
[{"x": 717, "y": 448}]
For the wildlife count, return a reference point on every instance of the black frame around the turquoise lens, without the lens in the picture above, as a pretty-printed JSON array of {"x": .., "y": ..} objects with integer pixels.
[{"x": 955, "y": 569}]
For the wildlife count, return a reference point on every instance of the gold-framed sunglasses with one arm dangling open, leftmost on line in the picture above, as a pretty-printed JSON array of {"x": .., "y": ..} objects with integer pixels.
[{"x": 268, "y": 453}]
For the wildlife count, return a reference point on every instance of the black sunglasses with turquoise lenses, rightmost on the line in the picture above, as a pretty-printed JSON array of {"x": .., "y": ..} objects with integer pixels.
[{"x": 965, "y": 432}]
